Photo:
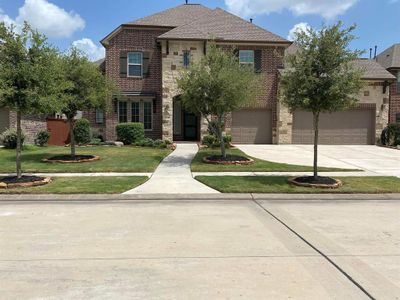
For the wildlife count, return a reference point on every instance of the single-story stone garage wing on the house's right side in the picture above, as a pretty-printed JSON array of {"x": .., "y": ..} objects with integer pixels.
[{"x": 360, "y": 125}]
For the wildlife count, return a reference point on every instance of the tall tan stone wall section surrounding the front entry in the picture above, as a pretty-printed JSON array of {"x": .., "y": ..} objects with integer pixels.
[{"x": 172, "y": 64}]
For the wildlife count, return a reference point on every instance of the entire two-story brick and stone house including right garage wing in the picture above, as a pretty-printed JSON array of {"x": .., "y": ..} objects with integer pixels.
[{"x": 145, "y": 58}]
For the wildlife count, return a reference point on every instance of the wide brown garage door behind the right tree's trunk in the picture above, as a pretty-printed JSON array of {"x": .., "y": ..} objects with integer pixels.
[{"x": 352, "y": 127}]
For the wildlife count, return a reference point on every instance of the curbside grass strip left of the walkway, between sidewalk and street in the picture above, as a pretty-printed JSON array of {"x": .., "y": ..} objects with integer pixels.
[{"x": 82, "y": 185}]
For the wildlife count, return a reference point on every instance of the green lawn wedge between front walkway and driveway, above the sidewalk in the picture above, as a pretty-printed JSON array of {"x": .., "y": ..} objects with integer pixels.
[{"x": 258, "y": 166}]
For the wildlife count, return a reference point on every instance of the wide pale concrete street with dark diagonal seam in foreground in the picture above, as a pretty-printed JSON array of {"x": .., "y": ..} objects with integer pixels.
[{"x": 199, "y": 250}]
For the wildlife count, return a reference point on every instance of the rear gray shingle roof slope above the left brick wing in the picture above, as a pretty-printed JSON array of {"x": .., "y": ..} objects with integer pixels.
[{"x": 174, "y": 17}]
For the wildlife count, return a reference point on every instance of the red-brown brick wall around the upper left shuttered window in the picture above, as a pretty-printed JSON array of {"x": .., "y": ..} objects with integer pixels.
[{"x": 135, "y": 40}]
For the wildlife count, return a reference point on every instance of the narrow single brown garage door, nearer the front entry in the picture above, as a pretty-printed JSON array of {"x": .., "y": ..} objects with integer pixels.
[{"x": 252, "y": 126}]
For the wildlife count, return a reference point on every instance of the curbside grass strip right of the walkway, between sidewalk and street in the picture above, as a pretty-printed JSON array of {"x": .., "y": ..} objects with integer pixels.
[{"x": 279, "y": 184}]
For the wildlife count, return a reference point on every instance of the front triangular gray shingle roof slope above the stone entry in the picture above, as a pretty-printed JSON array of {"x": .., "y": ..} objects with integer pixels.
[{"x": 221, "y": 25}]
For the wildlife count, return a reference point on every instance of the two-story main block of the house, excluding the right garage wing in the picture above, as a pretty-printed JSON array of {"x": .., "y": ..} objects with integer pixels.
[{"x": 146, "y": 56}]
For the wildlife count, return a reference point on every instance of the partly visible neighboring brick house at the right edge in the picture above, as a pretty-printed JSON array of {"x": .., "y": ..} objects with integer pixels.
[{"x": 390, "y": 60}]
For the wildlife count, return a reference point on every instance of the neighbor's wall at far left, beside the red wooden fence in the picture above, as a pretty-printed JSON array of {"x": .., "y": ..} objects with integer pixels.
[{"x": 30, "y": 125}]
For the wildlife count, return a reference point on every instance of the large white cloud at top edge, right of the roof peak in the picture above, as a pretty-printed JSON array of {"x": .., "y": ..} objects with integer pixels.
[{"x": 326, "y": 8}]
